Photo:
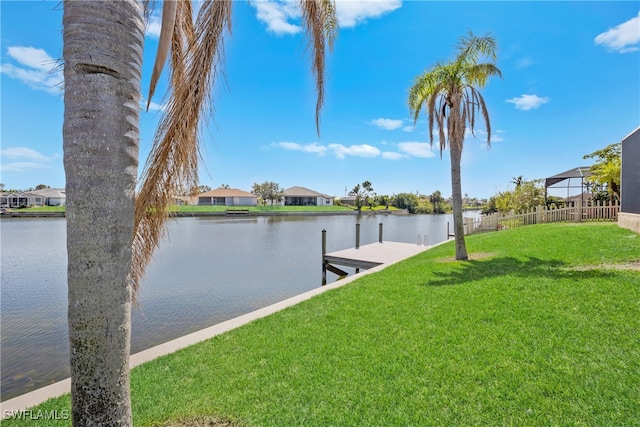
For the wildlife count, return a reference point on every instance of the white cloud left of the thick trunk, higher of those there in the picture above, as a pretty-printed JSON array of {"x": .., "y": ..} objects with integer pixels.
[{"x": 36, "y": 69}]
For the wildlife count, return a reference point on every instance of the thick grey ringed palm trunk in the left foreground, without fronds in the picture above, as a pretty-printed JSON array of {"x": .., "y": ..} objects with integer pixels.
[{"x": 103, "y": 42}]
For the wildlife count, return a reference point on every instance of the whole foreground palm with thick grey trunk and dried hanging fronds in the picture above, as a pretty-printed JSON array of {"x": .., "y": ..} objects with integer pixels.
[{"x": 111, "y": 230}]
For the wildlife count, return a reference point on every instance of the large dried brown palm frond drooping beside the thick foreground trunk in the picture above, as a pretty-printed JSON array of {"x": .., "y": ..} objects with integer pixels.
[{"x": 172, "y": 164}]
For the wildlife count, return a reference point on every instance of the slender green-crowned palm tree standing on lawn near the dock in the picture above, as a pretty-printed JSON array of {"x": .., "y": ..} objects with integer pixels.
[{"x": 448, "y": 91}]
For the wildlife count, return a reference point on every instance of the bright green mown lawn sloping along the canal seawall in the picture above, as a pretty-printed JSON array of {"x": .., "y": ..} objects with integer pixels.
[{"x": 541, "y": 328}]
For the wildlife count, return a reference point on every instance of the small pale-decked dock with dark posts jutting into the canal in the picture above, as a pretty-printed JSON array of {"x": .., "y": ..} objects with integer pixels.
[{"x": 368, "y": 256}]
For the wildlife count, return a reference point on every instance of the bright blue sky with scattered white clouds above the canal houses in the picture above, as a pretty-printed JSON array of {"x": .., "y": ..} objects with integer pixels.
[{"x": 570, "y": 86}]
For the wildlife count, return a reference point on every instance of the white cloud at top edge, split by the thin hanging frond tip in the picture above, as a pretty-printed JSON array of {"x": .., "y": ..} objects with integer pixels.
[{"x": 281, "y": 16}]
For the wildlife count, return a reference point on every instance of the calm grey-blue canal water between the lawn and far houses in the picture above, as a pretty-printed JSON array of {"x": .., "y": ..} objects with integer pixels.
[{"x": 207, "y": 270}]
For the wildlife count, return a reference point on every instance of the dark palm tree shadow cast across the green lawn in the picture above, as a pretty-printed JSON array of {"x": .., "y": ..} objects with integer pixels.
[{"x": 531, "y": 267}]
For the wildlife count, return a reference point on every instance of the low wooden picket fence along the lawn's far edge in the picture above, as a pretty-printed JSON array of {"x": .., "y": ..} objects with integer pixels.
[{"x": 541, "y": 215}]
